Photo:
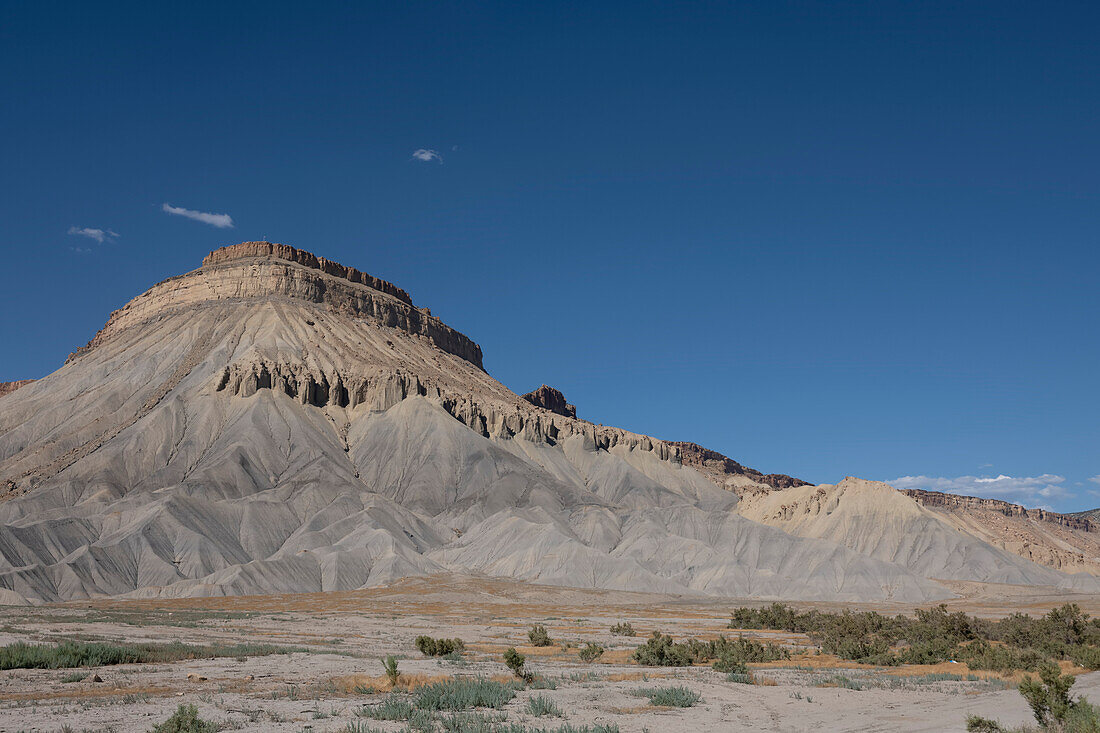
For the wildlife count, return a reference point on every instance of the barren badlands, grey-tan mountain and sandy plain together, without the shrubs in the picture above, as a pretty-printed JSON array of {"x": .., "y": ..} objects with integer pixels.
[{"x": 279, "y": 451}]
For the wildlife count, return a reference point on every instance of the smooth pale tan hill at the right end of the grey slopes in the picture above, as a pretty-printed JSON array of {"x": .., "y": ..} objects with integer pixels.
[{"x": 877, "y": 521}]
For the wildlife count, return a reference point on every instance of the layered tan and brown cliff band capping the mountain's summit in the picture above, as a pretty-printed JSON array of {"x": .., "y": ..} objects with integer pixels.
[{"x": 259, "y": 270}]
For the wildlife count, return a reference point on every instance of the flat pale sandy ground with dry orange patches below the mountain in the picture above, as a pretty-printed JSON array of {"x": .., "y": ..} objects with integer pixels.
[{"x": 348, "y": 633}]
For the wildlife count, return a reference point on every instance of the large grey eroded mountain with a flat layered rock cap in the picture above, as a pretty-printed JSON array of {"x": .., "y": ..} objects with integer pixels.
[{"x": 274, "y": 422}]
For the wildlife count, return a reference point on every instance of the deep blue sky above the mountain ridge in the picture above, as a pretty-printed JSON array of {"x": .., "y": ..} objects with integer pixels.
[{"x": 826, "y": 239}]
